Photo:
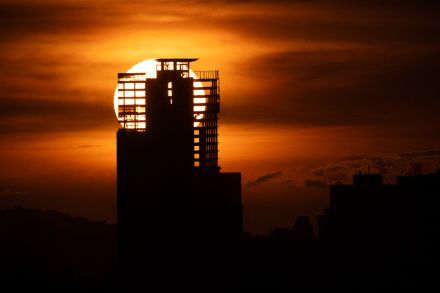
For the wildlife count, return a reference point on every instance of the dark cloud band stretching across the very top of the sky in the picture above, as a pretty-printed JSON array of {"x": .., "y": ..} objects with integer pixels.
[{"x": 371, "y": 21}]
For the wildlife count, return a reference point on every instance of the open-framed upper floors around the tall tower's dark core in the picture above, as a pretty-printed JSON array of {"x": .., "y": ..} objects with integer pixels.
[{"x": 132, "y": 101}]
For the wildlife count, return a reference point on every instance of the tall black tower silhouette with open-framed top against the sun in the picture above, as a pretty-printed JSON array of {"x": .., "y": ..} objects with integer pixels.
[{"x": 173, "y": 203}]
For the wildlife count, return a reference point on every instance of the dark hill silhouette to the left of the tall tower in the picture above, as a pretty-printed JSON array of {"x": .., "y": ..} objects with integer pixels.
[{"x": 54, "y": 251}]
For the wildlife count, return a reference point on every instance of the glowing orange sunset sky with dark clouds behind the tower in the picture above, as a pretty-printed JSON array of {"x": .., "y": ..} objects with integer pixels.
[{"x": 311, "y": 92}]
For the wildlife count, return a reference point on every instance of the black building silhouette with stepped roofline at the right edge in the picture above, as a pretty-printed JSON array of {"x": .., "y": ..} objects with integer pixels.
[{"x": 382, "y": 235}]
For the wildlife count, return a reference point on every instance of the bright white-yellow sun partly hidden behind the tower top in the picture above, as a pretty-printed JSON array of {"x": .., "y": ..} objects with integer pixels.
[{"x": 149, "y": 67}]
